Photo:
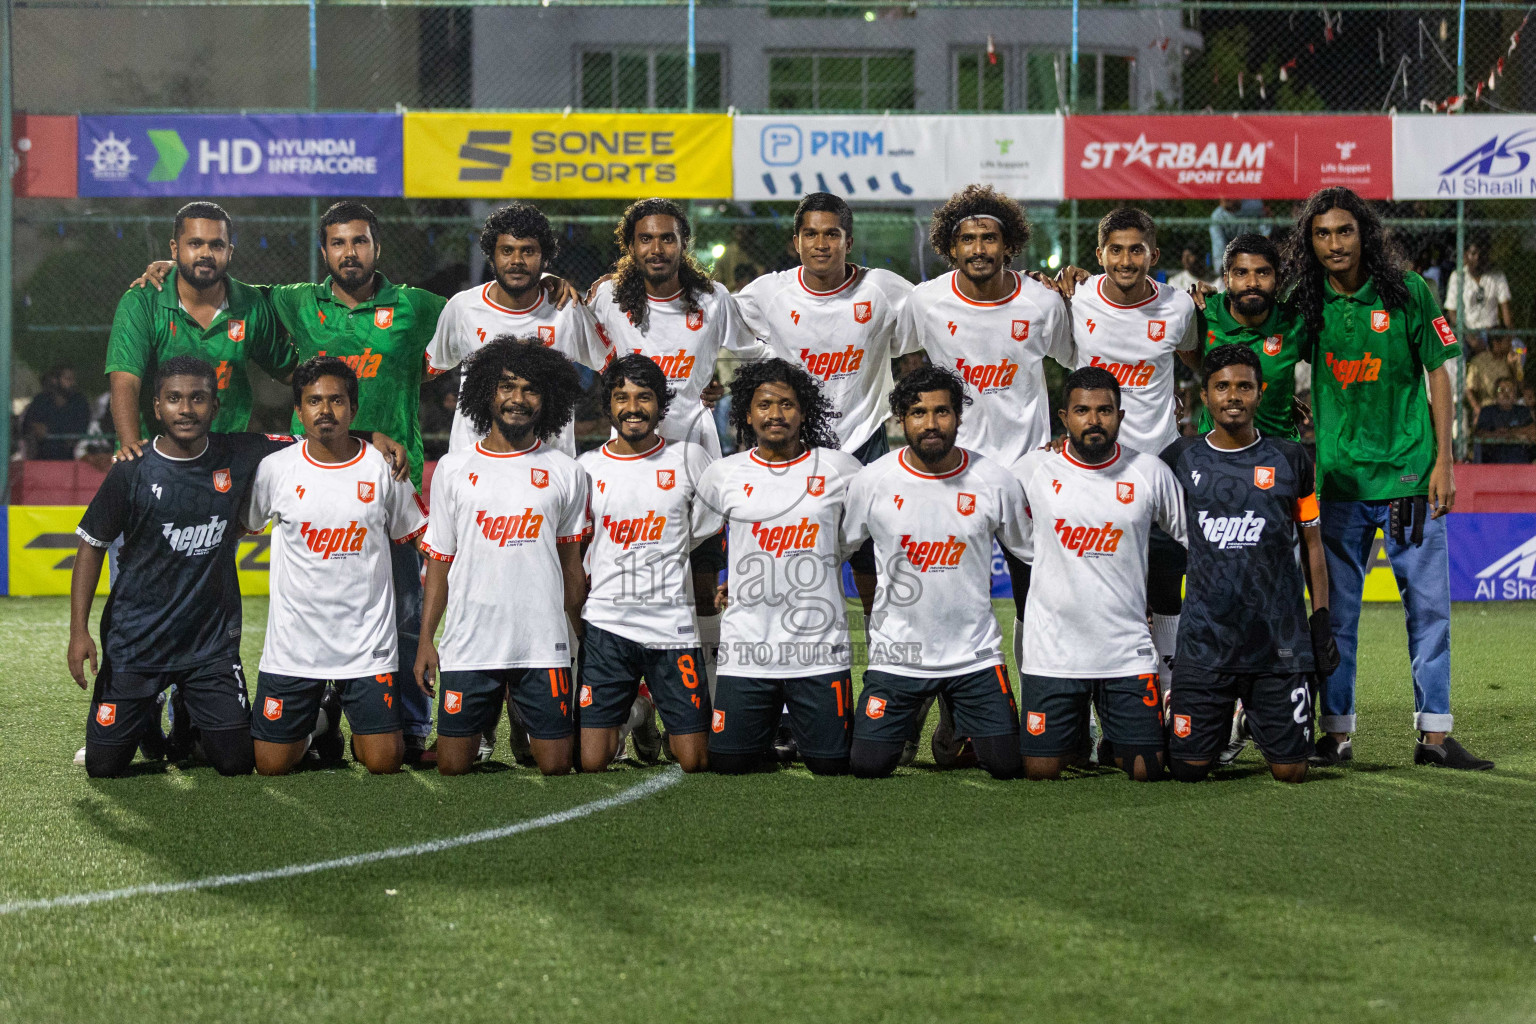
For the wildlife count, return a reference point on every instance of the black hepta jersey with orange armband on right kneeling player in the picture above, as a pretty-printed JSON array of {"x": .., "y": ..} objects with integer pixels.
[{"x": 1245, "y": 604}]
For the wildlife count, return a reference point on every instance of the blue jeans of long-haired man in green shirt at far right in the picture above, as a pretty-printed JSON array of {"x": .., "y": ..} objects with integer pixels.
[{"x": 1425, "y": 581}]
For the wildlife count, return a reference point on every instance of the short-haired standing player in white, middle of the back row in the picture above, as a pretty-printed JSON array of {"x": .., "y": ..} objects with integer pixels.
[{"x": 838, "y": 320}]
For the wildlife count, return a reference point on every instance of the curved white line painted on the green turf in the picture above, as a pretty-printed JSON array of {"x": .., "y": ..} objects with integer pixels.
[{"x": 647, "y": 788}]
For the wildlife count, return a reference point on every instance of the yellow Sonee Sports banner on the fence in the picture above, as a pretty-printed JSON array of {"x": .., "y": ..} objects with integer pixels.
[{"x": 569, "y": 157}]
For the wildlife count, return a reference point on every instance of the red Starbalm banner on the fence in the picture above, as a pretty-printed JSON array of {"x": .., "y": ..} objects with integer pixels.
[{"x": 1256, "y": 157}]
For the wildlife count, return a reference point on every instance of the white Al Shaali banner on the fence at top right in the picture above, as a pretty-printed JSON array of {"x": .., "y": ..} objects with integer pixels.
[{"x": 1465, "y": 157}]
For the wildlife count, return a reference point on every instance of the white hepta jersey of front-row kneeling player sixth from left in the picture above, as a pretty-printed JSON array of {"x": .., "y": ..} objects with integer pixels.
[{"x": 933, "y": 546}]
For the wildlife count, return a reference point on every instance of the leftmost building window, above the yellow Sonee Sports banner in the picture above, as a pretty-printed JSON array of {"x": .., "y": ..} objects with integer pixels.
[{"x": 650, "y": 79}]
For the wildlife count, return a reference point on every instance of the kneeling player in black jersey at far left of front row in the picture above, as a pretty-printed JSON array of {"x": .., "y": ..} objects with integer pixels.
[{"x": 174, "y": 610}]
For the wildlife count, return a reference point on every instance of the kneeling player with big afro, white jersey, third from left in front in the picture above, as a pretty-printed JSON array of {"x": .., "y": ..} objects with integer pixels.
[{"x": 505, "y": 560}]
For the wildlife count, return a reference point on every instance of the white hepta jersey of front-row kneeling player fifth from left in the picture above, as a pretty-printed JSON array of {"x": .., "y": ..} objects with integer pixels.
[{"x": 787, "y": 615}]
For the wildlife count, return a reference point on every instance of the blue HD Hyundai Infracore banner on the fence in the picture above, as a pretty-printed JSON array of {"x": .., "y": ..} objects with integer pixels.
[{"x": 260, "y": 154}]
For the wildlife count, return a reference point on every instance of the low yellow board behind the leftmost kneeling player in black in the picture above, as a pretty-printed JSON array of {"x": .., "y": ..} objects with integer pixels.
[{"x": 42, "y": 552}]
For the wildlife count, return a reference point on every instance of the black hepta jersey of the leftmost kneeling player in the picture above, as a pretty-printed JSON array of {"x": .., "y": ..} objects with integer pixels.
[{"x": 176, "y": 598}]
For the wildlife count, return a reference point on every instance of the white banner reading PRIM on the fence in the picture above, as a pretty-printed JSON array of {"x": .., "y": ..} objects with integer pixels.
[{"x": 898, "y": 159}]
